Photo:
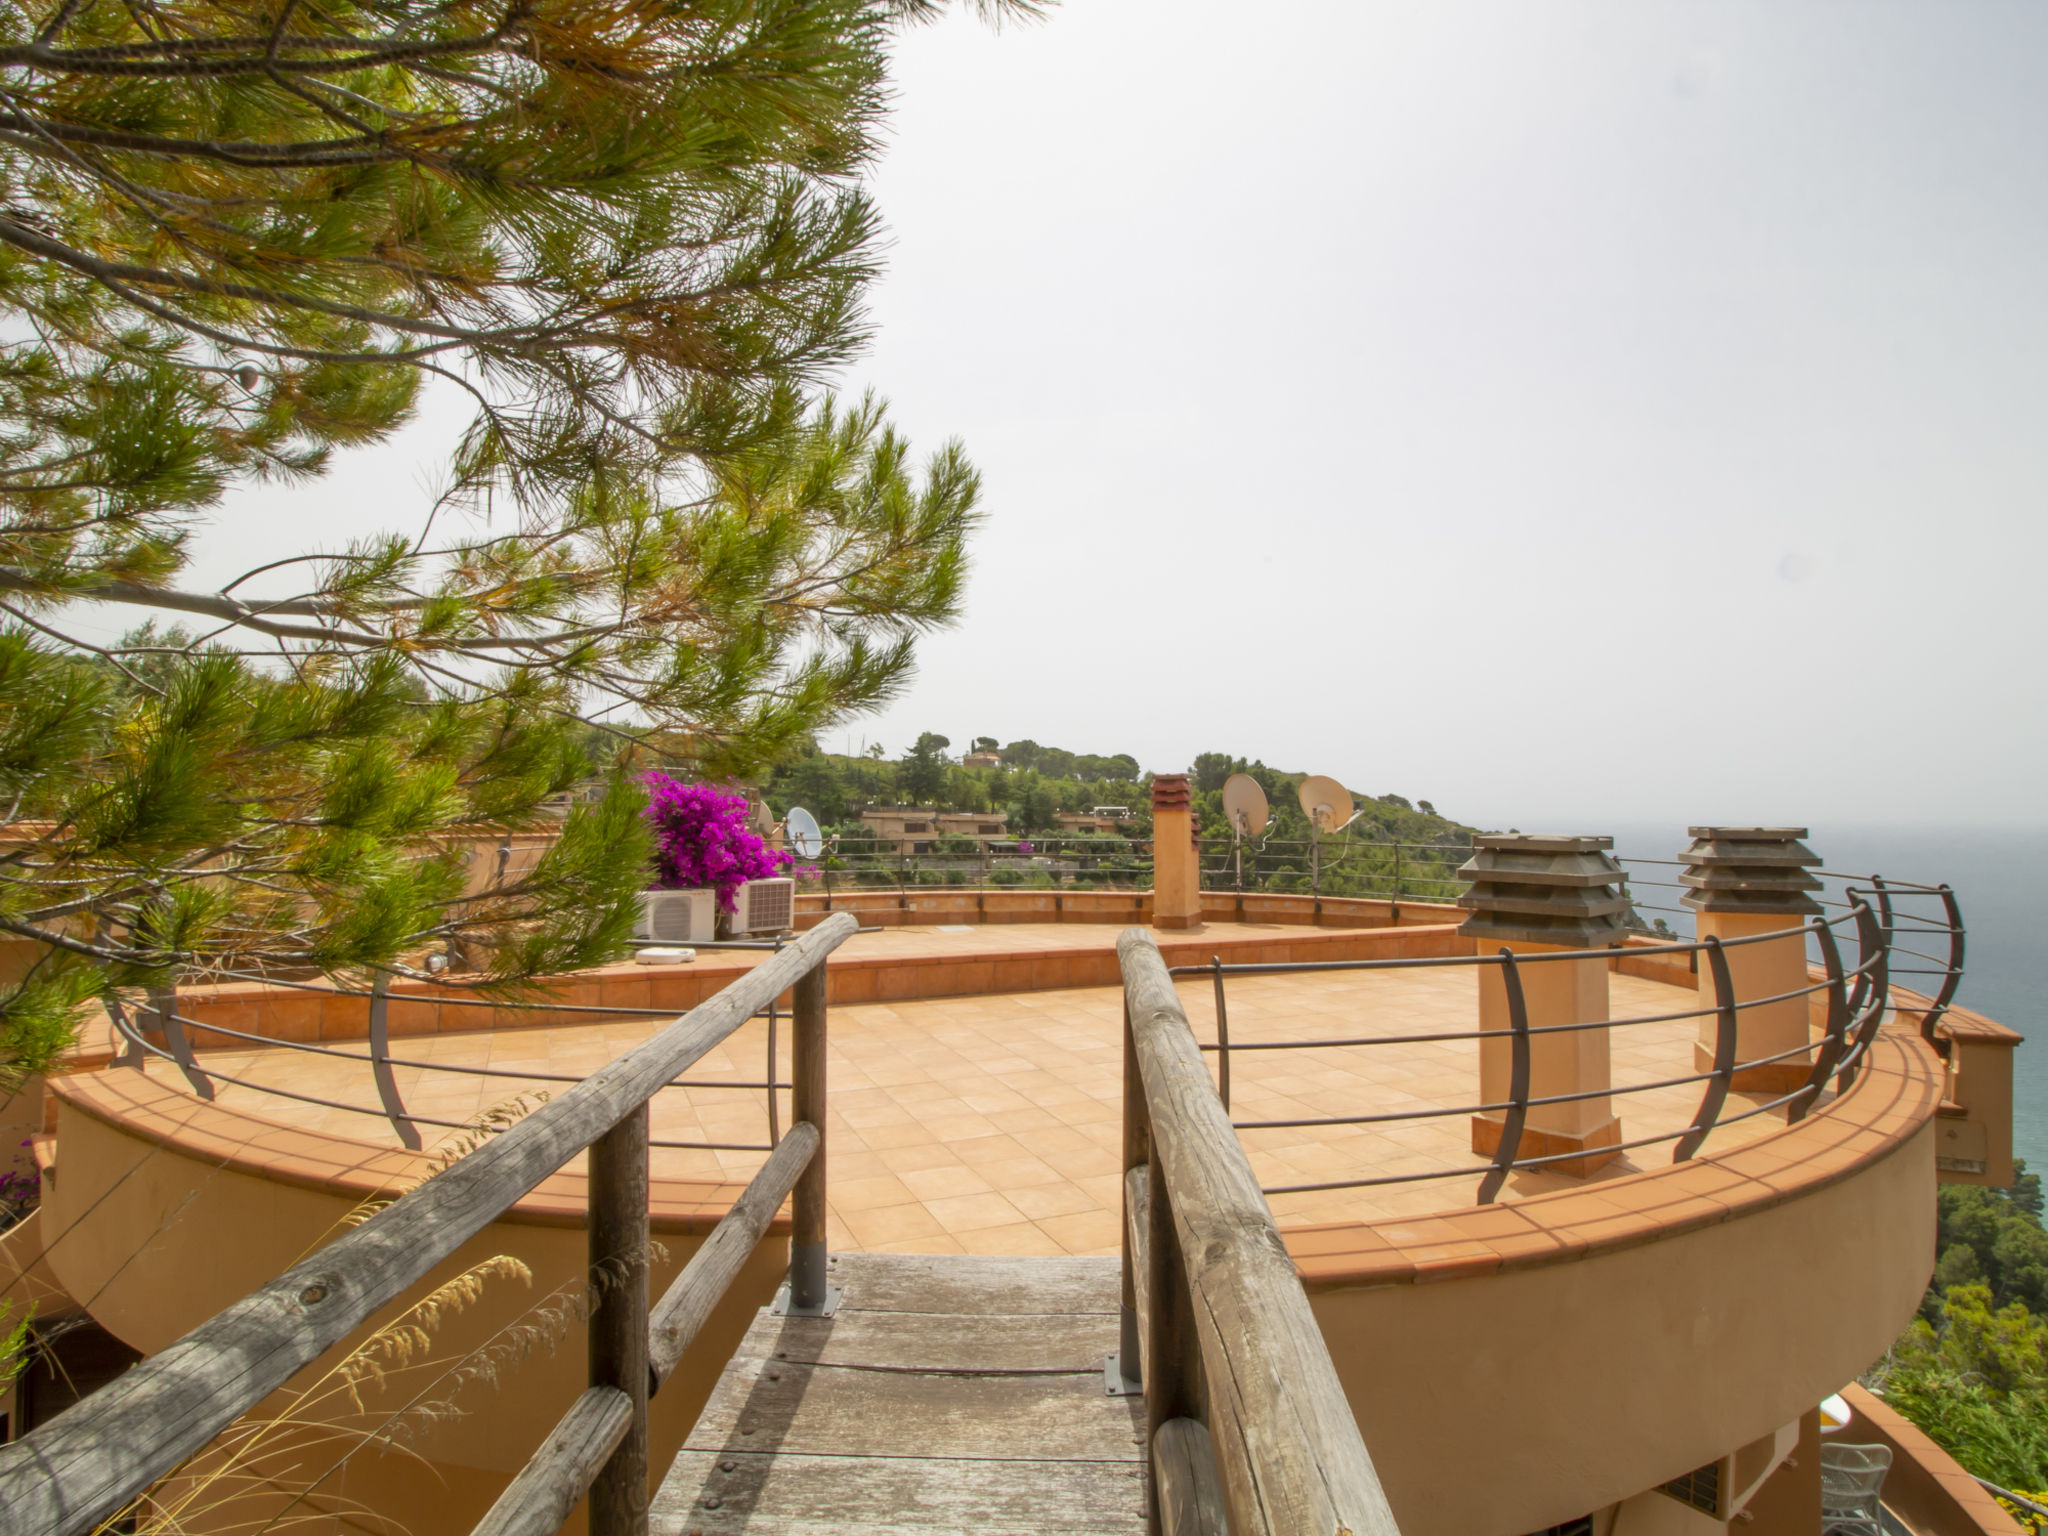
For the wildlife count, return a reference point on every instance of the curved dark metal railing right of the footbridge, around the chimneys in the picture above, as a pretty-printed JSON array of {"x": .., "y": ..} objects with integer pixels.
[{"x": 1857, "y": 1002}]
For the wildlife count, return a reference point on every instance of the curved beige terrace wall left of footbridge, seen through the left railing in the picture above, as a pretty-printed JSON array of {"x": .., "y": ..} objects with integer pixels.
[{"x": 157, "y": 1242}]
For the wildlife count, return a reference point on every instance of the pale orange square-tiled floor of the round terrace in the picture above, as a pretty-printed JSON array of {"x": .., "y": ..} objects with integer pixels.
[{"x": 992, "y": 1123}]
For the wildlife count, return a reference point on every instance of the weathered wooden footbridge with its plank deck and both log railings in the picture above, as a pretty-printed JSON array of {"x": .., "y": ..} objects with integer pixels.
[{"x": 1185, "y": 1390}]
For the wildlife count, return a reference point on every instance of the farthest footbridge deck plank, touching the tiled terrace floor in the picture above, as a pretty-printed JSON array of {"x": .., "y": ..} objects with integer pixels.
[{"x": 949, "y": 1283}]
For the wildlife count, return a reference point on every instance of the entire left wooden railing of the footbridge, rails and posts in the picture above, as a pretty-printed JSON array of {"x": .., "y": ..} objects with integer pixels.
[{"x": 99, "y": 1457}]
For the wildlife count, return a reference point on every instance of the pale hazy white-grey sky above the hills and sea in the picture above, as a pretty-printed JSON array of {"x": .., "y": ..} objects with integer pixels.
[{"x": 1564, "y": 413}]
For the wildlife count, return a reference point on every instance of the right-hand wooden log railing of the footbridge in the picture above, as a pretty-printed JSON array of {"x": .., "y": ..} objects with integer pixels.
[{"x": 1244, "y": 1414}]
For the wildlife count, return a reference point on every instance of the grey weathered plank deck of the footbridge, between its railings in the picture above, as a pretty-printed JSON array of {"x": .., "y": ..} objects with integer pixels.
[{"x": 947, "y": 1394}]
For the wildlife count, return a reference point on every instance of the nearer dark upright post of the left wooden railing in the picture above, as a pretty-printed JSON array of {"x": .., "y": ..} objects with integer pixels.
[{"x": 620, "y": 1242}]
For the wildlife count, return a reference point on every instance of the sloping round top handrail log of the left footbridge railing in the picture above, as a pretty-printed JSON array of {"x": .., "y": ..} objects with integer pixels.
[{"x": 71, "y": 1474}]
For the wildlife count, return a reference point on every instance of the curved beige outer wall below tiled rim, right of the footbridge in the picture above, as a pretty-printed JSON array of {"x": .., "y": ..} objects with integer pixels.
[{"x": 1508, "y": 1404}]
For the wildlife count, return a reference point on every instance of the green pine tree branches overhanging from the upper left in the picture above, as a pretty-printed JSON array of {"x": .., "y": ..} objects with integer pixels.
[{"x": 239, "y": 239}]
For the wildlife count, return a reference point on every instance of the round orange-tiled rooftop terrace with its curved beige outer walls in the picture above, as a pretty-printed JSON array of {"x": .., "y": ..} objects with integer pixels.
[{"x": 978, "y": 1101}]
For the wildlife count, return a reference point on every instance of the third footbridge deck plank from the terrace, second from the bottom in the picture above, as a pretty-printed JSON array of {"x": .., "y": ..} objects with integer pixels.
[{"x": 851, "y": 1412}]
